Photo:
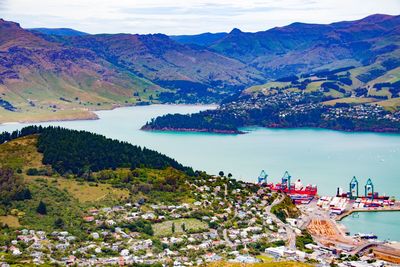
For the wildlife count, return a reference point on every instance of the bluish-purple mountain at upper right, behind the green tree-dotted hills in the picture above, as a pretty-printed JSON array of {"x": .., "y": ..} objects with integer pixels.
[{"x": 301, "y": 48}]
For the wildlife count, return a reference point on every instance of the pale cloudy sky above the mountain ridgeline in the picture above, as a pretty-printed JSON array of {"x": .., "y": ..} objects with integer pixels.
[{"x": 175, "y": 17}]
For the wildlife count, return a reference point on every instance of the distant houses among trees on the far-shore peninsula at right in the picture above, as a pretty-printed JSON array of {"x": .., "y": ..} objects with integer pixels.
[{"x": 288, "y": 104}]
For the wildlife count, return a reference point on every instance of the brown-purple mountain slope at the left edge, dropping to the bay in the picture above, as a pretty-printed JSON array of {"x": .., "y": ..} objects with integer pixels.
[{"x": 38, "y": 76}]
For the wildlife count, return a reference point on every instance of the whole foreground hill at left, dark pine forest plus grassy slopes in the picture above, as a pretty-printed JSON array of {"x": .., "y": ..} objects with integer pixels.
[{"x": 67, "y": 194}]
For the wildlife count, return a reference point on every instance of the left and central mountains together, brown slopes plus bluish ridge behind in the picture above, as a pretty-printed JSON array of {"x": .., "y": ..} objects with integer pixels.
[{"x": 51, "y": 73}]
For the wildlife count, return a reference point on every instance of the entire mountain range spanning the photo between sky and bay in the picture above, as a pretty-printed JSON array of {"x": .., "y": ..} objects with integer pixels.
[{"x": 45, "y": 71}]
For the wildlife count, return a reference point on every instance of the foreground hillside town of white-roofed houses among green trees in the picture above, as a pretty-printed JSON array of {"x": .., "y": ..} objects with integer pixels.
[{"x": 229, "y": 221}]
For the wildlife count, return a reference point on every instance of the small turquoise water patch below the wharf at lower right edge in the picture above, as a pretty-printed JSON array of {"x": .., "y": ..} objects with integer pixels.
[{"x": 383, "y": 224}]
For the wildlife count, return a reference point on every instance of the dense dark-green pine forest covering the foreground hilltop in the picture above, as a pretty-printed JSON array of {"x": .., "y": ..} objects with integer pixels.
[{"x": 80, "y": 152}]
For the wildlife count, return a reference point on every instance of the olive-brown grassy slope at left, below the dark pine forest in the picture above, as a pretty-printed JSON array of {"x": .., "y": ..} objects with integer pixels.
[{"x": 65, "y": 198}]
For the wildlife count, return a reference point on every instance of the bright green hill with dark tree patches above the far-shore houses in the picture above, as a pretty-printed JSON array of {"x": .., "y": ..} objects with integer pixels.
[{"x": 375, "y": 83}]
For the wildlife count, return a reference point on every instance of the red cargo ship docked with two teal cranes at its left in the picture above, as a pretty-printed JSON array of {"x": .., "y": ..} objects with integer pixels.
[{"x": 292, "y": 189}]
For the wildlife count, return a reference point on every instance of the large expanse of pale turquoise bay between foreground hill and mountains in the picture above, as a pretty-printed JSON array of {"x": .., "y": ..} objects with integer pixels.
[{"x": 323, "y": 157}]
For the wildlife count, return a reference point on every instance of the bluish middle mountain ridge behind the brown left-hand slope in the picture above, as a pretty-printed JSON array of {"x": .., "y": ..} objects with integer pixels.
[{"x": 194, "y": 71}]
